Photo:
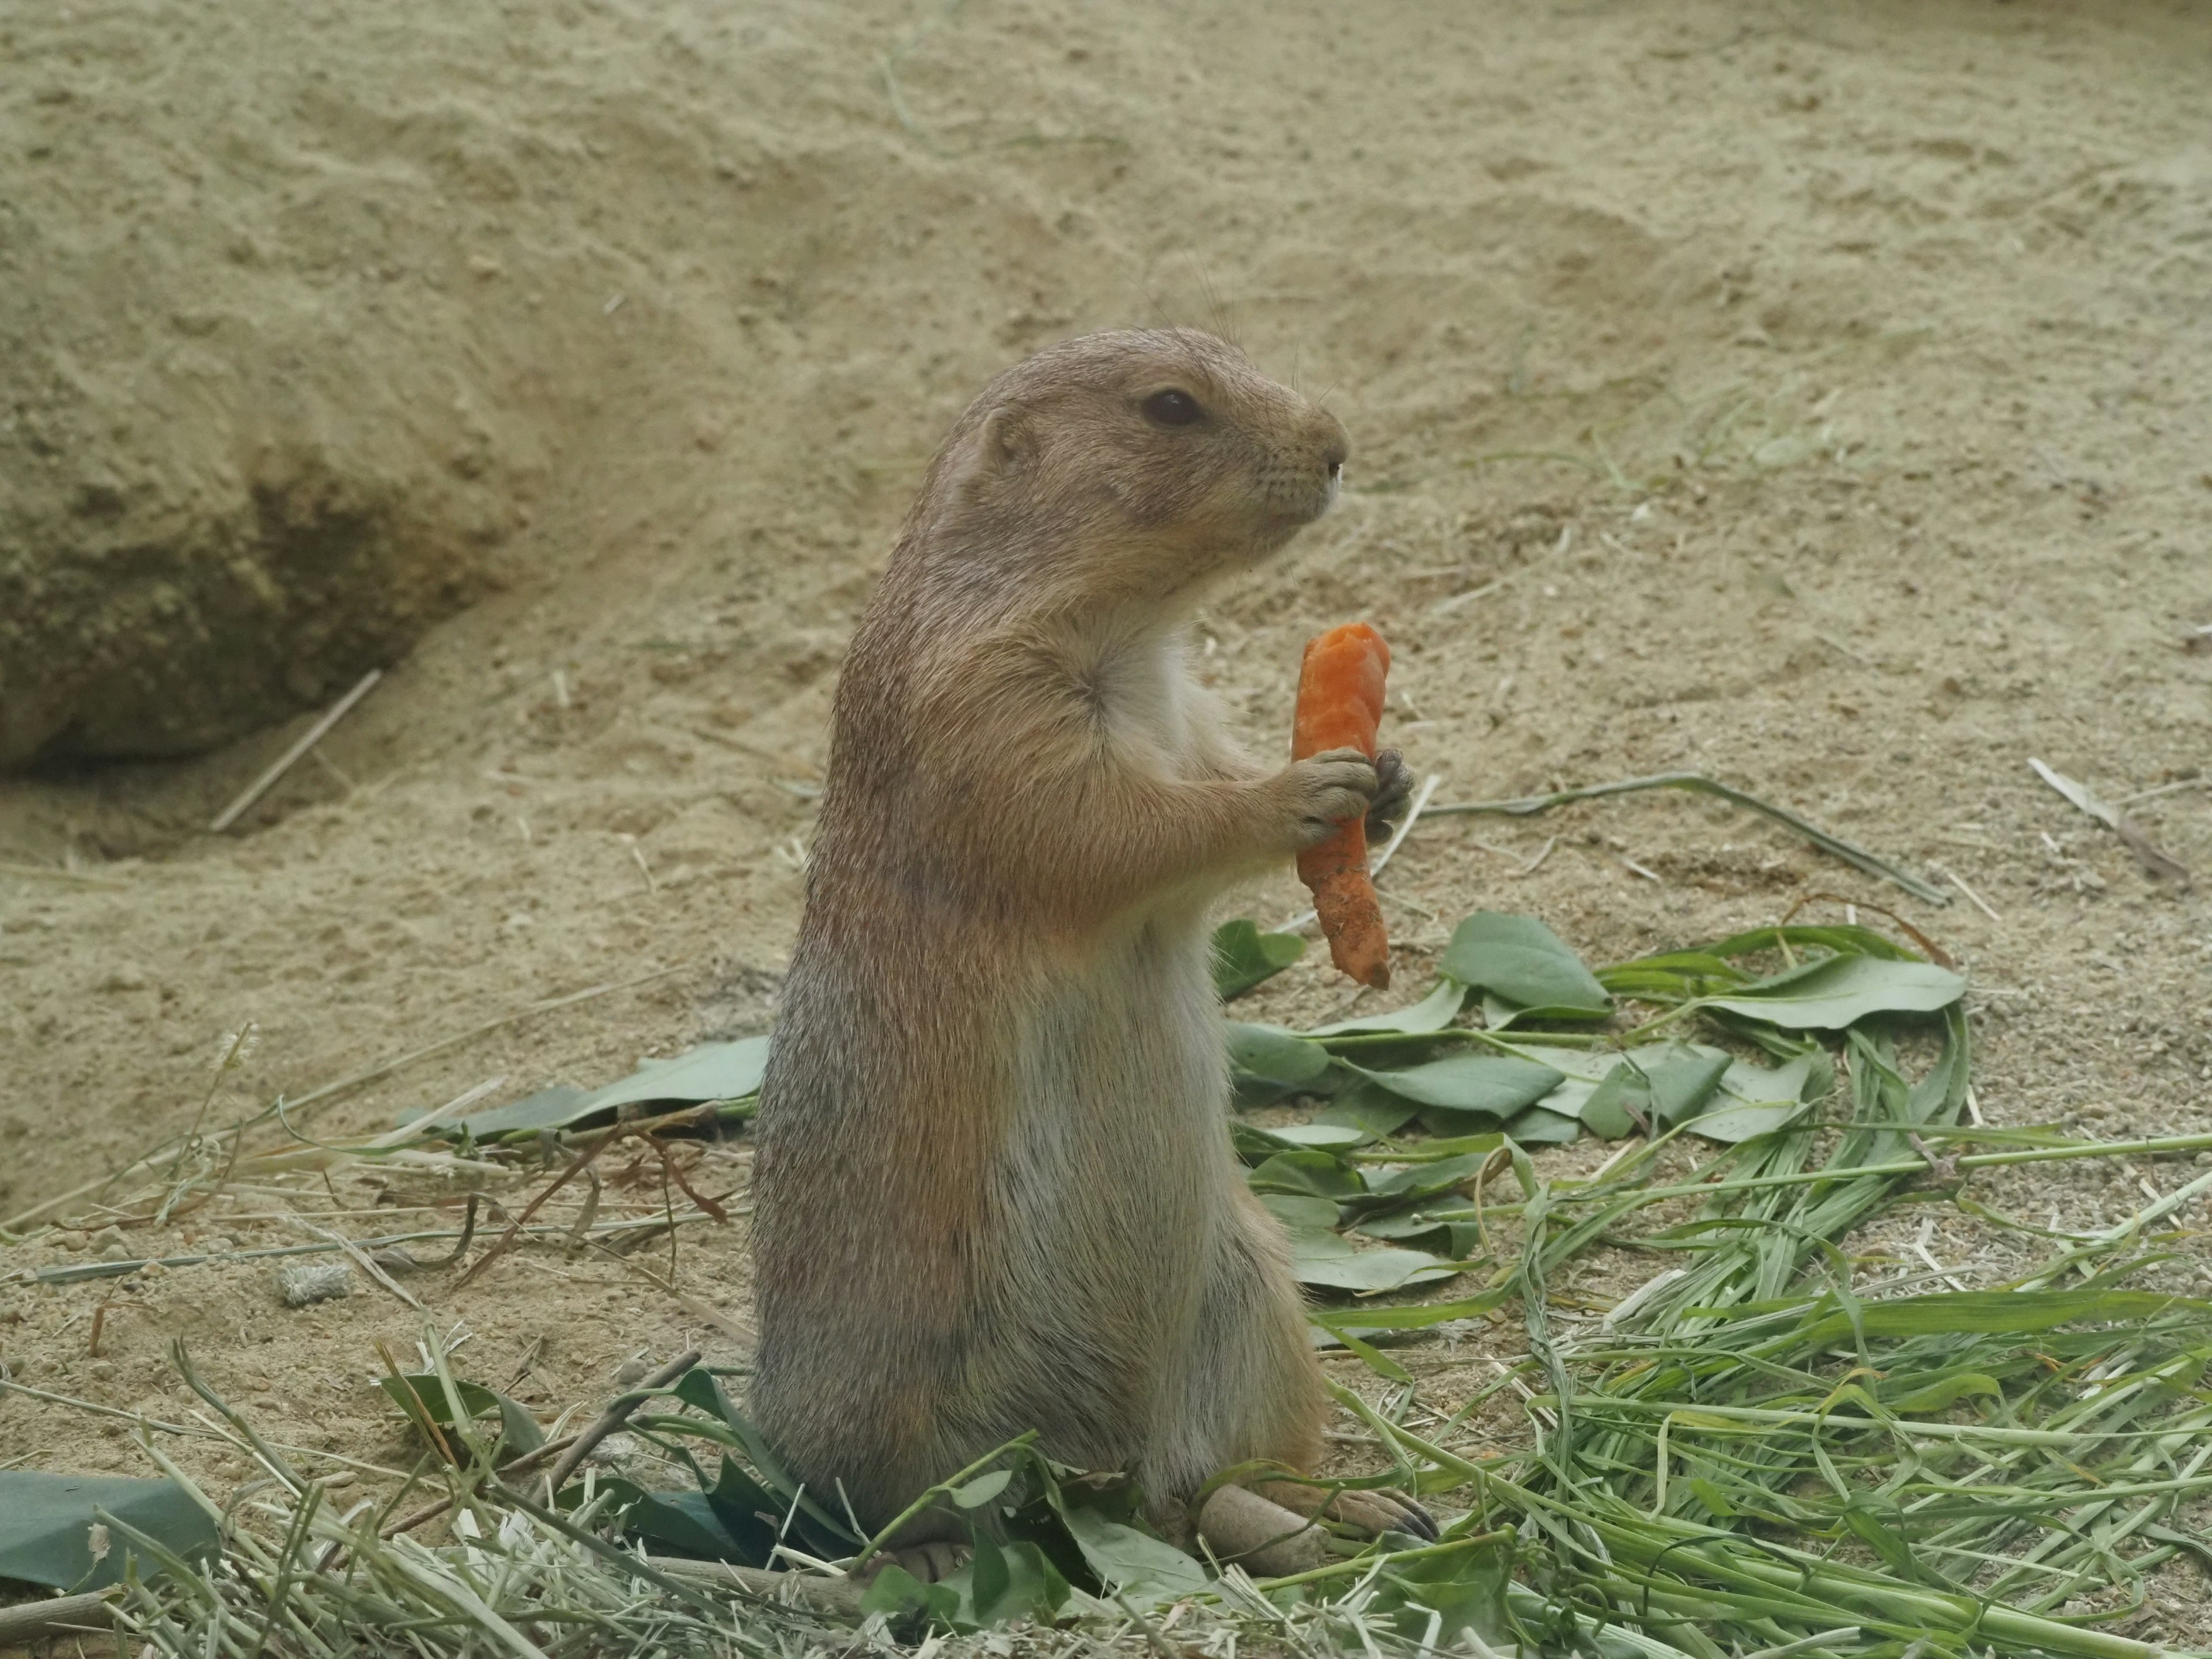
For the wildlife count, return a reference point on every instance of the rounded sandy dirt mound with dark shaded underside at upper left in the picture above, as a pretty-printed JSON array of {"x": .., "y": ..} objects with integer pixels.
[{"x": 242, "y": 457}]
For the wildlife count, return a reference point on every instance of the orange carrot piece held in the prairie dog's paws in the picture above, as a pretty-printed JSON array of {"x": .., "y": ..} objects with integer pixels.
[{"x": 1339, "y": 709}]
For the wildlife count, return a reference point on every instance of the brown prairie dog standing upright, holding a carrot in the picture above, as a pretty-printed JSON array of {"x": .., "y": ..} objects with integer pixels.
[{"x": 994, "y": 1182}]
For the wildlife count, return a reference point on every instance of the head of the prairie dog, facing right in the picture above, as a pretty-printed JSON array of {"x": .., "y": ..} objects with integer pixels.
[{"x": 1127, "y": 468}]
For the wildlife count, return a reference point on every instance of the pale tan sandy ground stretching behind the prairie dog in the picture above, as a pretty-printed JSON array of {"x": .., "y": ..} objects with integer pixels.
[{"x": 1802, "y": 395}]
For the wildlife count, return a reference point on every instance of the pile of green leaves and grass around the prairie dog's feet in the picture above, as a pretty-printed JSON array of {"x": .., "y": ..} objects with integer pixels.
[{"x": 1753, "y": 1452}]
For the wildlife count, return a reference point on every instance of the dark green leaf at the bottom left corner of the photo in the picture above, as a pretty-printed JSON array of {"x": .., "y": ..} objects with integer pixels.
[{"x": 48, "y": 1525}]
